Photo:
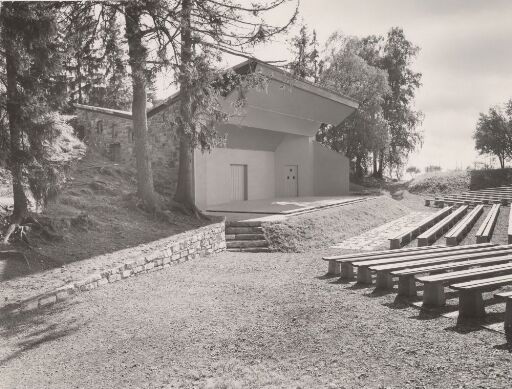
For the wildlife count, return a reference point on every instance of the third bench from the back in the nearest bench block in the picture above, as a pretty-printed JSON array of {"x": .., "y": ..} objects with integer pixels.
[{"x": 365, "y": 268}]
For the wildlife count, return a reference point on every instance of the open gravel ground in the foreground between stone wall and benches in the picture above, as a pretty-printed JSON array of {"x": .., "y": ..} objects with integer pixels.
[{"x": 241, "y": 320}]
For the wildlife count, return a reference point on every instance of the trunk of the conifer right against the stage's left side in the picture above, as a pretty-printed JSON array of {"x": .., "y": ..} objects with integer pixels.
[{"x": 185, "y": 188}]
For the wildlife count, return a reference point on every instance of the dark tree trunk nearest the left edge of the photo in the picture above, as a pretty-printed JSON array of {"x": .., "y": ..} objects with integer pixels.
[{"x": 14, "y": 115}]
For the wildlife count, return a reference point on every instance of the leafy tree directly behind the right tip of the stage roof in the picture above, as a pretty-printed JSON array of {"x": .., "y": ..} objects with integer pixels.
[{"x": 365, "y": 132}]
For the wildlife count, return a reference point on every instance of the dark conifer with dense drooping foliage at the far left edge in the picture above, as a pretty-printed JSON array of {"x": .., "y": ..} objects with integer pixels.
[{"x": 31, "y": 72}]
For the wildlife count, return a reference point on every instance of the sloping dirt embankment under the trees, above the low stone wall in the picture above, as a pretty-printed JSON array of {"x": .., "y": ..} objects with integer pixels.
[{"x": 95, "y": 213}]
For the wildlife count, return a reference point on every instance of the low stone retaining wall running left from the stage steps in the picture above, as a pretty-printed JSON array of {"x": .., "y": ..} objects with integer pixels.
[{"x": 153, "y": 256}]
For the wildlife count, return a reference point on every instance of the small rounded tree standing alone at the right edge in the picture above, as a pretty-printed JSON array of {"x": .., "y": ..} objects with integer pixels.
[{"x": 493, "y": 134}]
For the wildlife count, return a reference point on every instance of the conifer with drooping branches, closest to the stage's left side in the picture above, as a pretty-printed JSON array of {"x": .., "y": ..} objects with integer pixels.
[{"x": 208, "y": 29}]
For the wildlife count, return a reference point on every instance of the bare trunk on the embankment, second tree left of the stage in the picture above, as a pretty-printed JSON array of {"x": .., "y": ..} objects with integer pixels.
[{"x": 138, "y": 54}]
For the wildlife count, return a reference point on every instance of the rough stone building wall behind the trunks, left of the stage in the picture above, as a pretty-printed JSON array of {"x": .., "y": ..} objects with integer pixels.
[{"x": 112, "y": 135}]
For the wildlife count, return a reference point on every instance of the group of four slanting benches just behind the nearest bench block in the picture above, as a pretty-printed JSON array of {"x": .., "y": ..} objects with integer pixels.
[{"x": 431, "y": 229}]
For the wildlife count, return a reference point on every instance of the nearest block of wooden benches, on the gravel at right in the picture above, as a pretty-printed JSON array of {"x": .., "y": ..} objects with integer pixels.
[{"x": 470, "y": 270}]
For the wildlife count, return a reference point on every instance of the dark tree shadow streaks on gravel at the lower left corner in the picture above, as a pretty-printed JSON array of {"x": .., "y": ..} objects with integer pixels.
[{"x": 21, "y": 332}]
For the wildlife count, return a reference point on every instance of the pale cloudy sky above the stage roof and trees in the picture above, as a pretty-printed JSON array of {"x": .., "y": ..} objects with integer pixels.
[{"x": 465, "y": 58}]
